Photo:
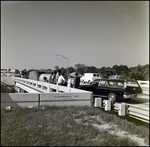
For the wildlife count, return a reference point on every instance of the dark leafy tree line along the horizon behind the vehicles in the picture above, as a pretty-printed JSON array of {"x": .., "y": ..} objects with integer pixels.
[{"x": 138, "y": 72}]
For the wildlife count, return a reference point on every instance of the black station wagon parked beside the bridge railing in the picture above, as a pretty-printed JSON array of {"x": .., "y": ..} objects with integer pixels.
[{"x": 114, "y": 89}]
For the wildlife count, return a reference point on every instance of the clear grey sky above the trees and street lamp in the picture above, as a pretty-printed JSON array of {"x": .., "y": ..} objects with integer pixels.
[{"x": 94, "y": 33}]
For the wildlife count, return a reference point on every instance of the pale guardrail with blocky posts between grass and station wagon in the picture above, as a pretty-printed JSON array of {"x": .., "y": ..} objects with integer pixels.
[{"x": 123, "y": 109}]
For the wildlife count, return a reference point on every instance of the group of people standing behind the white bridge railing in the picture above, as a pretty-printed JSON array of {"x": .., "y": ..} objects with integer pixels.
[{"x": 58, "y": 78}]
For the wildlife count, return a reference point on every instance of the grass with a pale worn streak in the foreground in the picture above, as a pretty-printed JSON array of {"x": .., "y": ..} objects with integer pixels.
[{"x": 69, "y": 126}]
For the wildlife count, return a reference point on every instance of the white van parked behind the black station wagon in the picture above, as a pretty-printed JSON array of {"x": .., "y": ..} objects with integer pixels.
[{"x": 89, "y": 77}]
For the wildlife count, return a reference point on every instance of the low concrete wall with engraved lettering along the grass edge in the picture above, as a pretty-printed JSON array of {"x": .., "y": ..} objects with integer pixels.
[{"x": 34, "y": 99}]
